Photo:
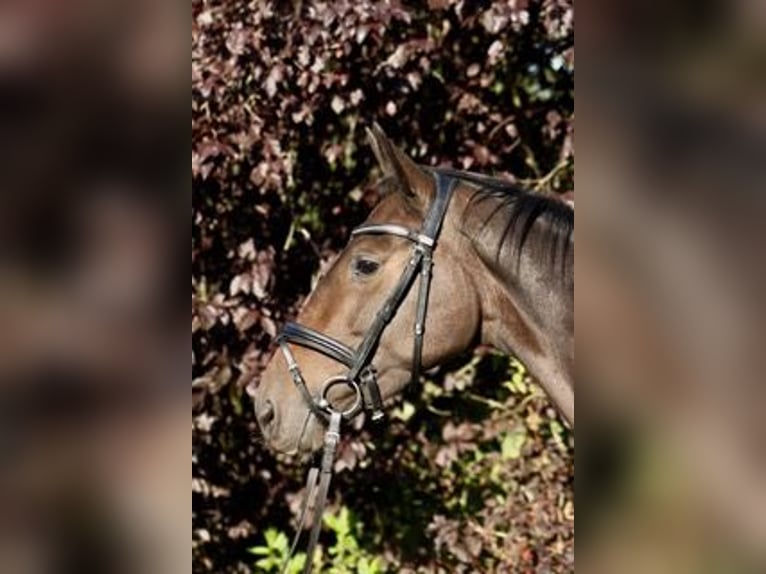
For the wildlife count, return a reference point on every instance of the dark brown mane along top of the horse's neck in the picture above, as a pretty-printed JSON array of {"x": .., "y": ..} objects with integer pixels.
[{"x": 520, "y": 210}]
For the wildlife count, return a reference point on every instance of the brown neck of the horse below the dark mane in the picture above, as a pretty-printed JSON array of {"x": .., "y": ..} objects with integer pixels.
[{"x": 526, "y": 297}]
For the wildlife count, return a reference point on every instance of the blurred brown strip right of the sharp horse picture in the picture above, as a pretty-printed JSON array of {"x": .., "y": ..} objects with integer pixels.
[{"x": 669, "y": 301}]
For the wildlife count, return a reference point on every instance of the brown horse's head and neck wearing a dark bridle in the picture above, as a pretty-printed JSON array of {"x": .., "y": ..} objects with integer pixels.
[{"x": 494, "y": 265}]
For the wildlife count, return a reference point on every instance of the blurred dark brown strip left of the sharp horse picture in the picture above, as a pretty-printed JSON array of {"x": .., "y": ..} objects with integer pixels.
[{"x": 93, "y": 441}]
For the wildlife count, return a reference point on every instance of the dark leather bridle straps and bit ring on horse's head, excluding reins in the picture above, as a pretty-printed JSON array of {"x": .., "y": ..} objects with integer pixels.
[{"x": 361, "y": 376}]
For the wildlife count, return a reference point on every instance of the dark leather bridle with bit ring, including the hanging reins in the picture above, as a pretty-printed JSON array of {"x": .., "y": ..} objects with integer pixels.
[{"x": 361, "y": 376}]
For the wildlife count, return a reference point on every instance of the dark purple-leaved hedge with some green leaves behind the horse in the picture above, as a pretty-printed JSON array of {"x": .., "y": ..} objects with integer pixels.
[{"x": 471, "y": 475}]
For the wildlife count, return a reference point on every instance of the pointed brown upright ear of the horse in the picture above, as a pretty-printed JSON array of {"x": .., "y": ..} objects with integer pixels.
[{"x": 411, "y": 179}]
